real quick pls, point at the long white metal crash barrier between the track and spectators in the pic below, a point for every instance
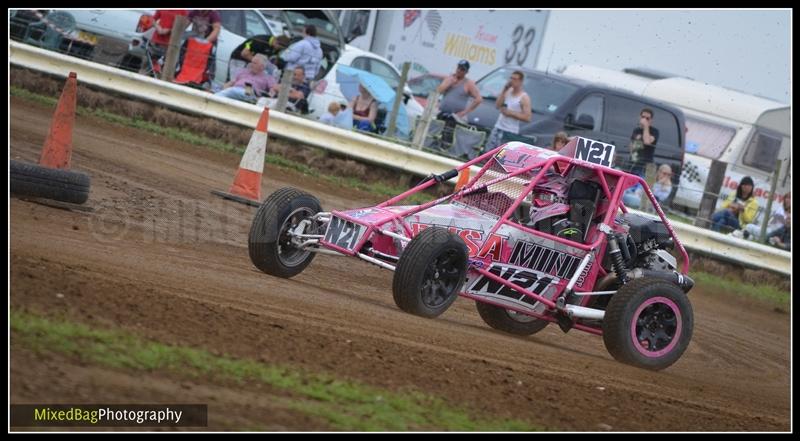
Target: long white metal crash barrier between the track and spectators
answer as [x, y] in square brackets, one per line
[349, 143]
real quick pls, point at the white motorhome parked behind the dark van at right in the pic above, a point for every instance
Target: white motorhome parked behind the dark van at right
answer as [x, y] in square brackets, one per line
[747, 132]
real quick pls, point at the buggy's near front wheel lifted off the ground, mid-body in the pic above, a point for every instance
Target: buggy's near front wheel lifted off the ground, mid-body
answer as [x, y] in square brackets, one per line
[430, 272]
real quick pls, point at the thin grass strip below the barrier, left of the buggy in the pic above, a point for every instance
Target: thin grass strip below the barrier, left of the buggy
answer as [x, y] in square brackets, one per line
[376, 188]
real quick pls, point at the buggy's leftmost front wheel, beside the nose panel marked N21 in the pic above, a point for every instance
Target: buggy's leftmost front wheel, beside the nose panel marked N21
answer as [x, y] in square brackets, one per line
[269, 243]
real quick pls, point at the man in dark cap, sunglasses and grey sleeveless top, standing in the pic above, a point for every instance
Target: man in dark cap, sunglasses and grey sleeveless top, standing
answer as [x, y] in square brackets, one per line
[454, 107]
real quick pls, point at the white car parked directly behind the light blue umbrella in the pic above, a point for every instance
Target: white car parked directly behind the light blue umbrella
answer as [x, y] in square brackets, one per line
[327, 89]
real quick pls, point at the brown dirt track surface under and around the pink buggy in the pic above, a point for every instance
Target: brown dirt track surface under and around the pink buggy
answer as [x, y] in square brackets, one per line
[161, 257]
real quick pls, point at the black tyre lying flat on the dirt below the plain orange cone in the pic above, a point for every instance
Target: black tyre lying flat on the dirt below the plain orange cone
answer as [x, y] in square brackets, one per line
[56, 184]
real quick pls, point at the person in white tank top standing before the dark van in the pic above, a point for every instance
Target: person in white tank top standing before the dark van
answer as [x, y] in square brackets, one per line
[514, 105]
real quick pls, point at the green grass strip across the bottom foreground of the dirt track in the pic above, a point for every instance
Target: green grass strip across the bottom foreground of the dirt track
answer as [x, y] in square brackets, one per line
[343, 404]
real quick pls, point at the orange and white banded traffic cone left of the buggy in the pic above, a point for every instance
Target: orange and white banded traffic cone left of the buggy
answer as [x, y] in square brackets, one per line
[246, 186]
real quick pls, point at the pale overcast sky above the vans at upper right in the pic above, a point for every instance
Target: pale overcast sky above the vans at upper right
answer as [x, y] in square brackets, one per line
[742, 49]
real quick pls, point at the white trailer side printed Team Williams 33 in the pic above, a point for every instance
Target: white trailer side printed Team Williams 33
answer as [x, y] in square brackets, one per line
[435, 40]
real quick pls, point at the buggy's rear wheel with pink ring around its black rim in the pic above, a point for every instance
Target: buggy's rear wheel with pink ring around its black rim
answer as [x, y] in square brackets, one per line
[648, 323]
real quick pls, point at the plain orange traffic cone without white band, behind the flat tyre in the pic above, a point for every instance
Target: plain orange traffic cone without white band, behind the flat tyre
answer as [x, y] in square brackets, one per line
[57, 149]
